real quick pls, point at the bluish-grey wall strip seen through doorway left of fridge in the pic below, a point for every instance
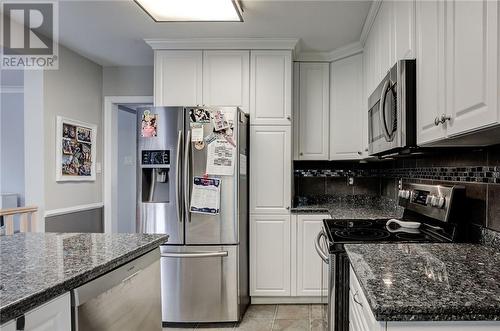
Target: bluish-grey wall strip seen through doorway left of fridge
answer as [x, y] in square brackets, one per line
[126, 169]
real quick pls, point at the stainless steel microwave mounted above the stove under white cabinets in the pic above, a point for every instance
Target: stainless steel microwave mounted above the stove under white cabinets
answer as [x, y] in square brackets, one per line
[392, 107]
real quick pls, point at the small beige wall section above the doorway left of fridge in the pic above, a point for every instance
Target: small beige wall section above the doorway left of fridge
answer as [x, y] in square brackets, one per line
[128, 81]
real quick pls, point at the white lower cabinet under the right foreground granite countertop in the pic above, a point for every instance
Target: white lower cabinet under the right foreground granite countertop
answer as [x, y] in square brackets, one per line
[361, 317]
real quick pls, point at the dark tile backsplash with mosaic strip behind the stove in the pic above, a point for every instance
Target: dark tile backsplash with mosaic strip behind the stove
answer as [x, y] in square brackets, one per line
[477, 169]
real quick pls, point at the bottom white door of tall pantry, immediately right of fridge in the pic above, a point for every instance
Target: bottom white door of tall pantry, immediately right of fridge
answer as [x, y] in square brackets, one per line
[270, 255]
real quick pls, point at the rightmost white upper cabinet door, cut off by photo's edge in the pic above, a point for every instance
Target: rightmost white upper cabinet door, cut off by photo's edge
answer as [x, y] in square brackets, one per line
[472, 55]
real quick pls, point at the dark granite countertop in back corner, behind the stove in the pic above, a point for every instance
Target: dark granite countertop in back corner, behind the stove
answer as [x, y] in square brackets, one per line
[349, 207]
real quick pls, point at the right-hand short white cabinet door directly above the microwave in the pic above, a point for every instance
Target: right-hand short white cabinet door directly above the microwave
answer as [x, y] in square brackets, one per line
[404, 30]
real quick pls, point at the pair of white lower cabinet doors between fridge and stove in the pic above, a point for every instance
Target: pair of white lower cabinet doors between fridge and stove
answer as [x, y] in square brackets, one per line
[283, 260]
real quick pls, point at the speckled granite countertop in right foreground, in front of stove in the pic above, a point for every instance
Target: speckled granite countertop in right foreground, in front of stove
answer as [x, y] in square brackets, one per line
[429, 282]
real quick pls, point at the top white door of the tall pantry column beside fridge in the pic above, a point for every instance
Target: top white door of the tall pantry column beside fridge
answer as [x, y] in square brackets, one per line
[270, 87]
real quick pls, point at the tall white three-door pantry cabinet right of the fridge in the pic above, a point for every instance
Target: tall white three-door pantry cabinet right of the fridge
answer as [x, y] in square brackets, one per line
[270, 172]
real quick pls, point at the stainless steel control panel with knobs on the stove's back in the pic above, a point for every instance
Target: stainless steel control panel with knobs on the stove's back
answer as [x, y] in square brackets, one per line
[431, 200]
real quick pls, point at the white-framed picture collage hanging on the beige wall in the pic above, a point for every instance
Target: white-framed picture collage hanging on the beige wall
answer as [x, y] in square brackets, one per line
[75, 150]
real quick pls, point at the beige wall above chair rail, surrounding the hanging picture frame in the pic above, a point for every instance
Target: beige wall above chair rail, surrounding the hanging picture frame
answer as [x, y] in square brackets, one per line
[73, 91]
